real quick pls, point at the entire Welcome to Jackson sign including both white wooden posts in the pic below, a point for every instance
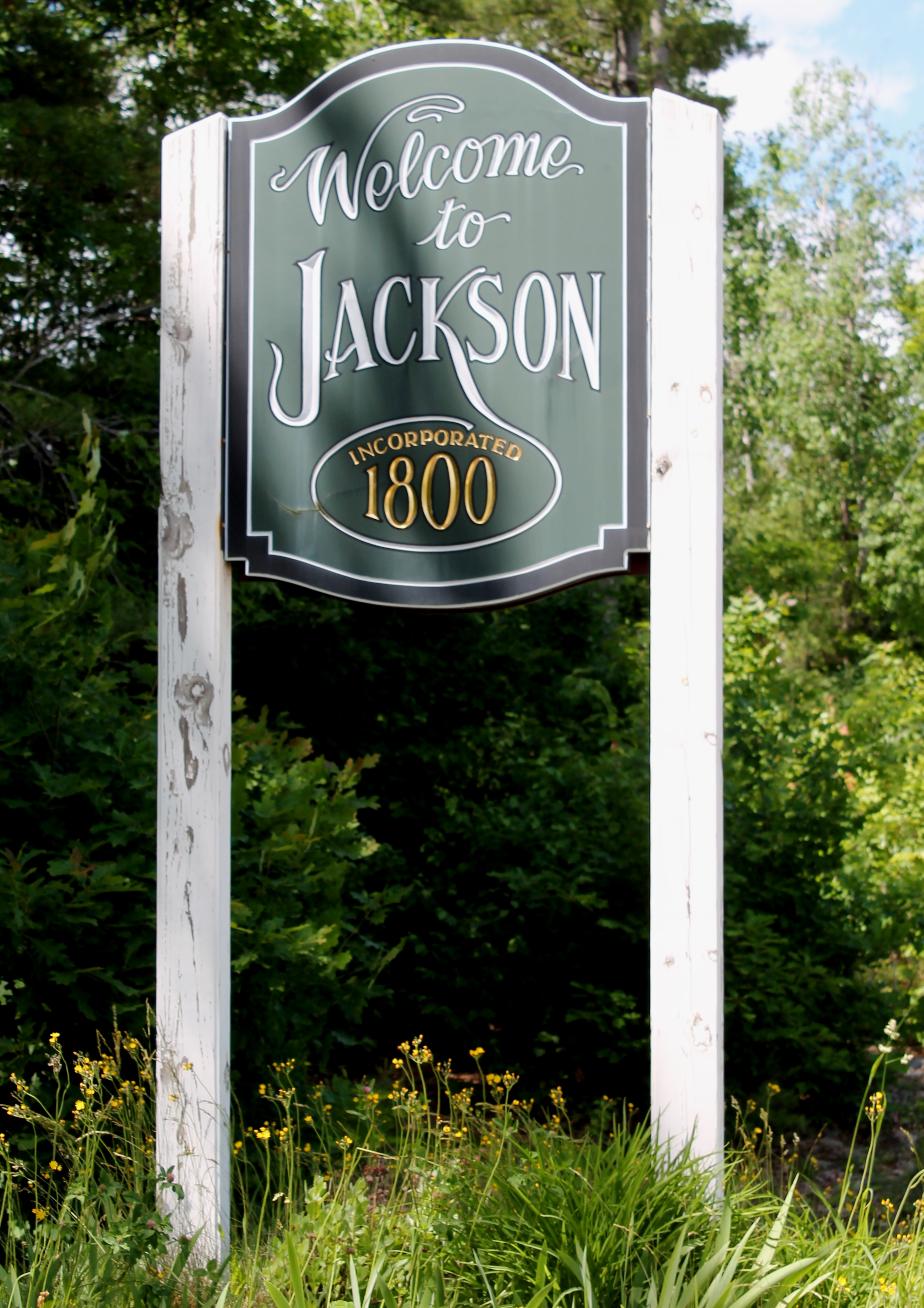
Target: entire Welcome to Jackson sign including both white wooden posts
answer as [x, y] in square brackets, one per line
[444, 351]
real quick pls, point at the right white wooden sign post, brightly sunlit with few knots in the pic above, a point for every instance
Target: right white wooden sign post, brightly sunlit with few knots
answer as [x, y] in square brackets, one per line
[686, 719]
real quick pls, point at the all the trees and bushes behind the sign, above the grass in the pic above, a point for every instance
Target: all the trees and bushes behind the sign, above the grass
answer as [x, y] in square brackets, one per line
[508, 901]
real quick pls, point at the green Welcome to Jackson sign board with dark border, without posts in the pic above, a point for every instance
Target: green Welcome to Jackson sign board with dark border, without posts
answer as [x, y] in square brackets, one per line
[438, 330]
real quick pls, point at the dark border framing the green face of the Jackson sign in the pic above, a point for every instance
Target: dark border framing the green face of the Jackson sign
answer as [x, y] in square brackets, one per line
[621, 547]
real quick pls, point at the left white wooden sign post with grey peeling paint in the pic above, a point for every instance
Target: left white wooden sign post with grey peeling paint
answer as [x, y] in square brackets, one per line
[194, 699]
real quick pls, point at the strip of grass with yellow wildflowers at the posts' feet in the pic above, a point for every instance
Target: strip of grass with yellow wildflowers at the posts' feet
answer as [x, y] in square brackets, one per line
[436, 1191]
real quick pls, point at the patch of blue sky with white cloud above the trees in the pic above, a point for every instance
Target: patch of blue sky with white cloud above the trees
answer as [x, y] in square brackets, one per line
[883, 39]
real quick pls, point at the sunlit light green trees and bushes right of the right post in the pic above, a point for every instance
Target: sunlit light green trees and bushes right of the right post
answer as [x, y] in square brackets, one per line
[824, 428]
